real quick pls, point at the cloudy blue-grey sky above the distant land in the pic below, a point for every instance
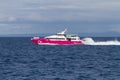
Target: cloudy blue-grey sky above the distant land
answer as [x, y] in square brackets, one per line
[51, 16]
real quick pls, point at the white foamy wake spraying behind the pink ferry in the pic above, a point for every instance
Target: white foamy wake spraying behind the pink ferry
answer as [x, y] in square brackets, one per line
[90, 41]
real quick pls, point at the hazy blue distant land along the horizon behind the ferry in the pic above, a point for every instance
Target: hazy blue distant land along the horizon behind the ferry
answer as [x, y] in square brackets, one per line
[105, 34]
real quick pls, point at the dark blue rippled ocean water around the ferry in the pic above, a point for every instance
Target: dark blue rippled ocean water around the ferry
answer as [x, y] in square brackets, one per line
[20, 59]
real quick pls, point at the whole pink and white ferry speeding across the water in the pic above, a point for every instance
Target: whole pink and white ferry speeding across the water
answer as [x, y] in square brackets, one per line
[59, 39]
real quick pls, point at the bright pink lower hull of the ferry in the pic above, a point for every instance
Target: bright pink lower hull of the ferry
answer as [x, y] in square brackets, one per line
[44, 41]
